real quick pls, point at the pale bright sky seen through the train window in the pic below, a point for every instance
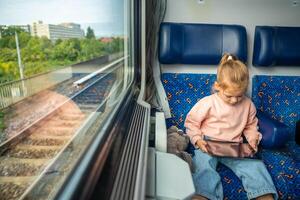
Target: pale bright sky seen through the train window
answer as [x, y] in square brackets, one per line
[105, 15]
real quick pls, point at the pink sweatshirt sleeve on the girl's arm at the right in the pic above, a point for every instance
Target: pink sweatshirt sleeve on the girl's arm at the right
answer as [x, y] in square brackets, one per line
[251, 133]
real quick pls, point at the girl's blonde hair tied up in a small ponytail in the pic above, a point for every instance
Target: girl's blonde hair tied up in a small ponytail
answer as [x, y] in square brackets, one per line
[232, 73]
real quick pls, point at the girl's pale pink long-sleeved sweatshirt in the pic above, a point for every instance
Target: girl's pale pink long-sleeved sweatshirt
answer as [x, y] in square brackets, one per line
[213, 117]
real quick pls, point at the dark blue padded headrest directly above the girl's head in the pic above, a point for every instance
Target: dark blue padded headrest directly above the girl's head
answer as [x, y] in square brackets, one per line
[200, 43]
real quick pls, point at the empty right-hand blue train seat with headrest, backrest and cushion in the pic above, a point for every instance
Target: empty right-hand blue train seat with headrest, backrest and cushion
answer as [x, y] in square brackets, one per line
[278, 97]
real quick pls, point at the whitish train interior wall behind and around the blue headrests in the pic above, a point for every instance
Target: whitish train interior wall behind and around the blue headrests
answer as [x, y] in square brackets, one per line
[242, 12]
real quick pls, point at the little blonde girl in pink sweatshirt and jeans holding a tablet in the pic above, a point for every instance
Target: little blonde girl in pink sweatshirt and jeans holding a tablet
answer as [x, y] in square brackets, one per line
[227, 115]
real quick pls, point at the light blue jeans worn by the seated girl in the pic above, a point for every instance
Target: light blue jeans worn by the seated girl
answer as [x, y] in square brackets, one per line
[253, 174]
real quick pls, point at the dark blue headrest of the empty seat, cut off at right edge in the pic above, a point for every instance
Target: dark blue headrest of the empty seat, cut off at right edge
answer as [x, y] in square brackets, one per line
[276, 46]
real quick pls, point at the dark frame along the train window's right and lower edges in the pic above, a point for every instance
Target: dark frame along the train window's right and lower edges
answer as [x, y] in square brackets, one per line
[82, 180]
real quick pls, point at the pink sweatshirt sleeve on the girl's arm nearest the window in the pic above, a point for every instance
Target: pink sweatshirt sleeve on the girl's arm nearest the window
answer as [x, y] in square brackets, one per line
[194, 119]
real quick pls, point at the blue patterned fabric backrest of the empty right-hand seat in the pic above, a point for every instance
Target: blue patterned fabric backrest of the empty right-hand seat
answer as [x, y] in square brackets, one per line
[279, 97]
